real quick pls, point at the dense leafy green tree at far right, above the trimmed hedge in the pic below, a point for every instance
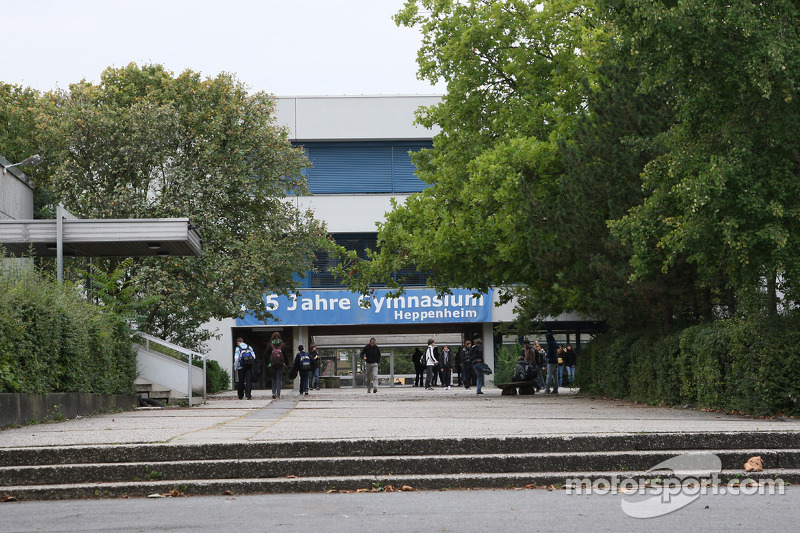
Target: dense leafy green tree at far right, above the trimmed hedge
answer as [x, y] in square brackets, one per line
[725, 193]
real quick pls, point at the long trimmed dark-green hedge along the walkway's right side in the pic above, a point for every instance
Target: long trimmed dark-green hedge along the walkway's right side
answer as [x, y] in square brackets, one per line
[745, 365]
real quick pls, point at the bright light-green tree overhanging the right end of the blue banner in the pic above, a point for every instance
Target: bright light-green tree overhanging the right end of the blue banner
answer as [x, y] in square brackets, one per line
[513, 72]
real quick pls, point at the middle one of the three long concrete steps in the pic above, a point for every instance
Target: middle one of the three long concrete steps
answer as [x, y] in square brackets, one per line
[532, 463]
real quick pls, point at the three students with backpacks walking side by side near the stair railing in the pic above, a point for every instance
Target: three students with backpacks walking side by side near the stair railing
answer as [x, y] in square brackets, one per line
[249, 368]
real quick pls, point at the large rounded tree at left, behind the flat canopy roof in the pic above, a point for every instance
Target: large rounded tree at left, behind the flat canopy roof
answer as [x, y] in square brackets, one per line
[145, 143]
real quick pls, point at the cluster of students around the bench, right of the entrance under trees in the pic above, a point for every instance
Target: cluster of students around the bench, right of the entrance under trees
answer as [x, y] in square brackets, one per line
[548, 369]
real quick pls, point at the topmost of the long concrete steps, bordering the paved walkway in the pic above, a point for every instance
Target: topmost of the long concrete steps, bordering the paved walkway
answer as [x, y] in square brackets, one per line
[126, 453]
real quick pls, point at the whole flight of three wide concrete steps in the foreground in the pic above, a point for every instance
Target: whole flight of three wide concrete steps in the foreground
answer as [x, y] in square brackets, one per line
[384, 465]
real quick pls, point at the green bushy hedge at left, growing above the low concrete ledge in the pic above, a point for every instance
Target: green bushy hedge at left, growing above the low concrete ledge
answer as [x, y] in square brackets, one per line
[52, 340]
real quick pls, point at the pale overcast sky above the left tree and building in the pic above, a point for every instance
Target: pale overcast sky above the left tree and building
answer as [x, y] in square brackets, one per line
[286, 47]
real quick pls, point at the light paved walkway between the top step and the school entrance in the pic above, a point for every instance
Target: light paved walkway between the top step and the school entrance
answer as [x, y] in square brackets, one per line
[401, 412]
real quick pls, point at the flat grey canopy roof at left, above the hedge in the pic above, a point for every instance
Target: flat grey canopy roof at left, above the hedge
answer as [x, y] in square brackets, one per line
[101, 237]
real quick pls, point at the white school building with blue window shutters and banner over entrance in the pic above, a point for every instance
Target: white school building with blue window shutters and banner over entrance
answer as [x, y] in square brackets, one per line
[359, 147]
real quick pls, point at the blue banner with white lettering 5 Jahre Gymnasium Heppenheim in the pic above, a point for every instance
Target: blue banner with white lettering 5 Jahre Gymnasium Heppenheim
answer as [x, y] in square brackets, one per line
[334, 307]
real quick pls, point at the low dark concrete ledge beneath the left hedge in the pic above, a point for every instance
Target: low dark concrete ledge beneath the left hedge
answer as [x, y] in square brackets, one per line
[19, 408]
